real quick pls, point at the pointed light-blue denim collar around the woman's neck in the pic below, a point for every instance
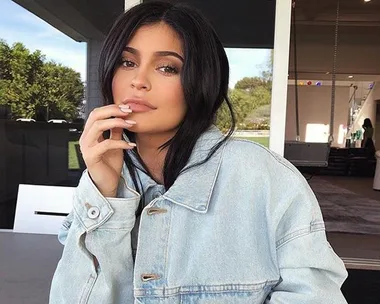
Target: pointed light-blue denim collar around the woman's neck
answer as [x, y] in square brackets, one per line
[193, 188]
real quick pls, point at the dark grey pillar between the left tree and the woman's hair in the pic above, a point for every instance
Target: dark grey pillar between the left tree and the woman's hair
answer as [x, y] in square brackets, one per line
[93, 95]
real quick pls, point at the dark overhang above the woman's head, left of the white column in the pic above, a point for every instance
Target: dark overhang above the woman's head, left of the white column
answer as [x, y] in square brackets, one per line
[91, 19]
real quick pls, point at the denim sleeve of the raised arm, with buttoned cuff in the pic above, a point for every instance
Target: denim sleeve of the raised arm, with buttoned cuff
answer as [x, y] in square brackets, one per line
[97, 261]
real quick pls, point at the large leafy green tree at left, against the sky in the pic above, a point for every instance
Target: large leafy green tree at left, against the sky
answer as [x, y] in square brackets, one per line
[29, 84]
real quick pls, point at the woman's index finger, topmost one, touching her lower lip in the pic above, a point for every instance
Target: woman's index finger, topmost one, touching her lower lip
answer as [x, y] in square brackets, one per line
[106, 112]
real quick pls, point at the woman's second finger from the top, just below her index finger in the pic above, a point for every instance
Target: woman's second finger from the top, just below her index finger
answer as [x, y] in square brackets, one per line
[99, 126]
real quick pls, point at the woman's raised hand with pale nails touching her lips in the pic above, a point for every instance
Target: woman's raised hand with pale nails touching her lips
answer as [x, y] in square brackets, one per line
[104, 157]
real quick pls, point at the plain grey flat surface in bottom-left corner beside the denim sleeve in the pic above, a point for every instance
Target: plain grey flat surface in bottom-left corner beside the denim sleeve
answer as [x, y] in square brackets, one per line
[27, 264]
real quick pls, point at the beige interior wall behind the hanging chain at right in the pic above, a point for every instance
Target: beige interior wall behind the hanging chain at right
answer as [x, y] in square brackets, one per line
[314, 108]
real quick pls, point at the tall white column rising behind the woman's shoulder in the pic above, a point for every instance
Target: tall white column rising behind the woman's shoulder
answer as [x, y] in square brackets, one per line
[280, 76]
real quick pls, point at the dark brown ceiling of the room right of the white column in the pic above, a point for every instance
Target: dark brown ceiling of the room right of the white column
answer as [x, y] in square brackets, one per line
[358, 46]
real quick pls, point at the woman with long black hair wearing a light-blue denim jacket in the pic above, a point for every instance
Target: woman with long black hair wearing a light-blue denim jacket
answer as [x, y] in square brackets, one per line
[188, 215]
